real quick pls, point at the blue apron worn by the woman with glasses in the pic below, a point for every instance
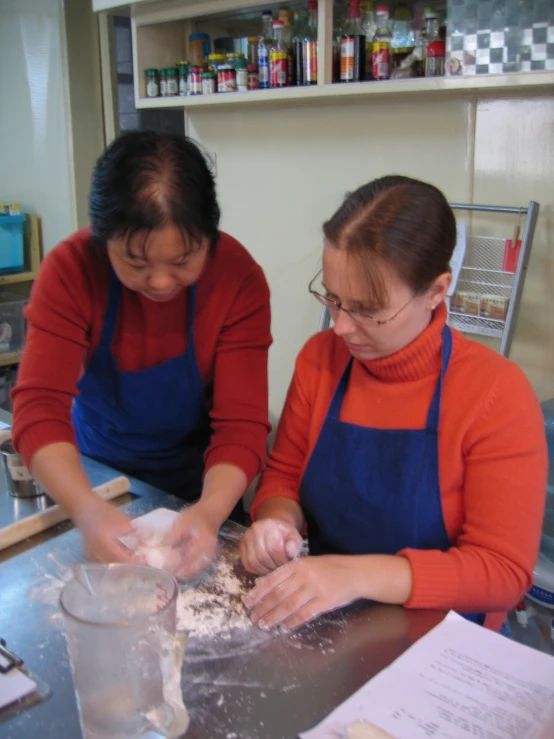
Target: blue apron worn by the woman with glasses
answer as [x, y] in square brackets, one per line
[376, 491]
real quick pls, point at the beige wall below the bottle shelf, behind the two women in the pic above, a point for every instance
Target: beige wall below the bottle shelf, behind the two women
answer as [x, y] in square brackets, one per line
[281, 173]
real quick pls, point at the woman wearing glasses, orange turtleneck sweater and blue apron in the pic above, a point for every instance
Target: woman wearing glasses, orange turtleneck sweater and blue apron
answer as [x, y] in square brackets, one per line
[414, 458]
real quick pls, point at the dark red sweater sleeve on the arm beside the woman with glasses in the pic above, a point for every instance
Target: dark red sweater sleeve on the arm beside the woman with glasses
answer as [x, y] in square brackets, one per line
[239, 413]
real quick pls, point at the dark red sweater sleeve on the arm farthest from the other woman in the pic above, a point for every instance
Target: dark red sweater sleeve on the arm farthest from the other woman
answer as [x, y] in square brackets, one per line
[58, 327]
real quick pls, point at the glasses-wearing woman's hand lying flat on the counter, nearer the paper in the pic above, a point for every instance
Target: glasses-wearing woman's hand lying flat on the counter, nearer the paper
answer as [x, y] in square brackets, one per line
[301, 590]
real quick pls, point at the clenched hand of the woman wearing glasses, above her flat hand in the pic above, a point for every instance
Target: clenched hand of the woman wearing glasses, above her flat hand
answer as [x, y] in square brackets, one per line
[268, 544]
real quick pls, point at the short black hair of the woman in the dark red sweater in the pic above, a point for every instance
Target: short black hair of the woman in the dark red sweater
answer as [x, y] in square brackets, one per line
[147, 180]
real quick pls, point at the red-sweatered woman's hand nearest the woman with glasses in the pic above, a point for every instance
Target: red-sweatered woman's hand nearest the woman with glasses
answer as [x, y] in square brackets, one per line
[194, 537]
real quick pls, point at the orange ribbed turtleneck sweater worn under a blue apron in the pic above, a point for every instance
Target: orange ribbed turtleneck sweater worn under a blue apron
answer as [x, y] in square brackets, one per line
[492, 457]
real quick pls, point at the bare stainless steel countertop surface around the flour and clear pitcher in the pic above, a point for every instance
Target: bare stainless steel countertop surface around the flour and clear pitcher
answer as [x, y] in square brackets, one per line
[271, 687]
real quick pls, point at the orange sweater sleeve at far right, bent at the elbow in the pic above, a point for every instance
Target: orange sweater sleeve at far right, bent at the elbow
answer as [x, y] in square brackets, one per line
[490, 565]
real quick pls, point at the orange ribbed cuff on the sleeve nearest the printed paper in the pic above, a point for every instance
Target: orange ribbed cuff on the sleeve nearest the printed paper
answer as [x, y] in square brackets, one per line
[434, 581]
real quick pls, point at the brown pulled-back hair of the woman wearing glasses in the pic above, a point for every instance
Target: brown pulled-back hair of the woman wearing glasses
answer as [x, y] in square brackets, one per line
[404, 222]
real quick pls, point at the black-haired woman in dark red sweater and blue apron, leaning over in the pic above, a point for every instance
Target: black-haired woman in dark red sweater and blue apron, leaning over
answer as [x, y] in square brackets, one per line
[142, 332]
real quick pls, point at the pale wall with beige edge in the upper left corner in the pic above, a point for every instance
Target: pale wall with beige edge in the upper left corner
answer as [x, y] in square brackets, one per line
[51, 127]
